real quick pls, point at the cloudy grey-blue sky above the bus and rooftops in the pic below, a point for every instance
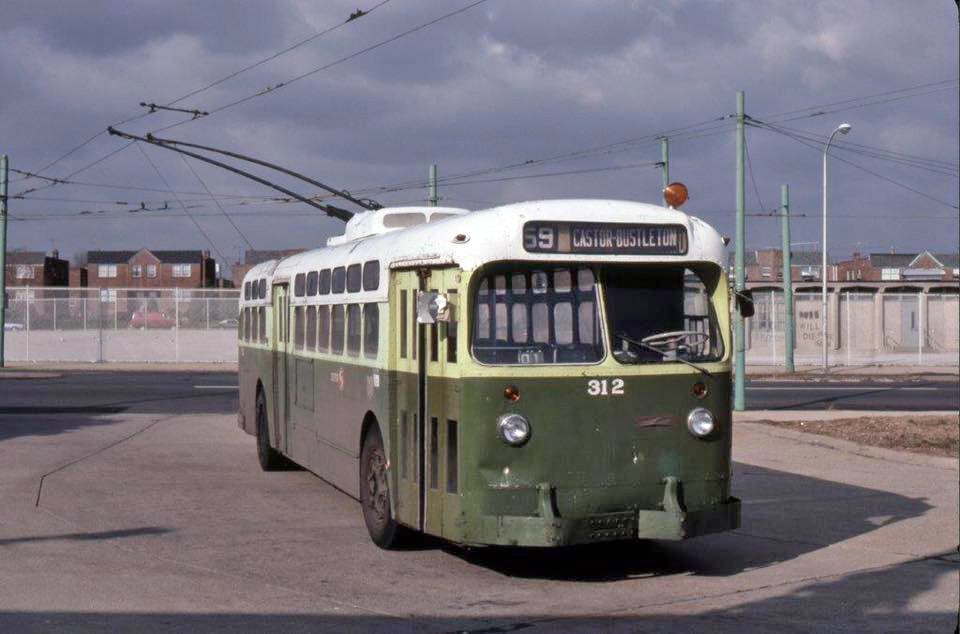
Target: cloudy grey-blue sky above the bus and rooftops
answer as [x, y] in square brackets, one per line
[516, 99]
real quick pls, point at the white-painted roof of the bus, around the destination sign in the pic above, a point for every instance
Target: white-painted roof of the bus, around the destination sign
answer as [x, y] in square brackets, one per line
[472, 239]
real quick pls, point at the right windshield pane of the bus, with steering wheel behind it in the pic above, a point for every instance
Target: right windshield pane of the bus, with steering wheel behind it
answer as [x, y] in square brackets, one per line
[660, 314]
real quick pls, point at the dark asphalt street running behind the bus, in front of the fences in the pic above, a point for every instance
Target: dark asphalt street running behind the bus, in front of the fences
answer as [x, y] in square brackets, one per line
[108, 392]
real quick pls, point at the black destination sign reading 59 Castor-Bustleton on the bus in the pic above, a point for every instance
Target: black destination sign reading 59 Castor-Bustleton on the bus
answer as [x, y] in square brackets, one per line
[604, 238]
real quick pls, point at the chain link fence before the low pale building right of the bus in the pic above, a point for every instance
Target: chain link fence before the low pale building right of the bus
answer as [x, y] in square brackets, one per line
[915, 328]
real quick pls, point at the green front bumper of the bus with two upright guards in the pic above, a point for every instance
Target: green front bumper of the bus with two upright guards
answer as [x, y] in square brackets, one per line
[671, 522]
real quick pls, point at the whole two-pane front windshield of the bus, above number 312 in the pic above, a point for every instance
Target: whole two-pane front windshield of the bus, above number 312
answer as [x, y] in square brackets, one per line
[547, 315]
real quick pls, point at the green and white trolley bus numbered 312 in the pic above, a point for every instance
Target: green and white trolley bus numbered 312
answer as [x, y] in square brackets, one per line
[537, 374]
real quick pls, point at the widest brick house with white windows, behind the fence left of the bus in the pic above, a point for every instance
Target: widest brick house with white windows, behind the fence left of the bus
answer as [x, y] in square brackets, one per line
[151, 269]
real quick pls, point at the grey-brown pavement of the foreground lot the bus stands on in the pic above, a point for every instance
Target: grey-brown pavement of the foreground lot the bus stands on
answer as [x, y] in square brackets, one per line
[165, 523]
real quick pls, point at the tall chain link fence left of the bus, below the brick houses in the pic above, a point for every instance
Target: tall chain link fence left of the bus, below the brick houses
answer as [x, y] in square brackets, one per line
[135, 325]
